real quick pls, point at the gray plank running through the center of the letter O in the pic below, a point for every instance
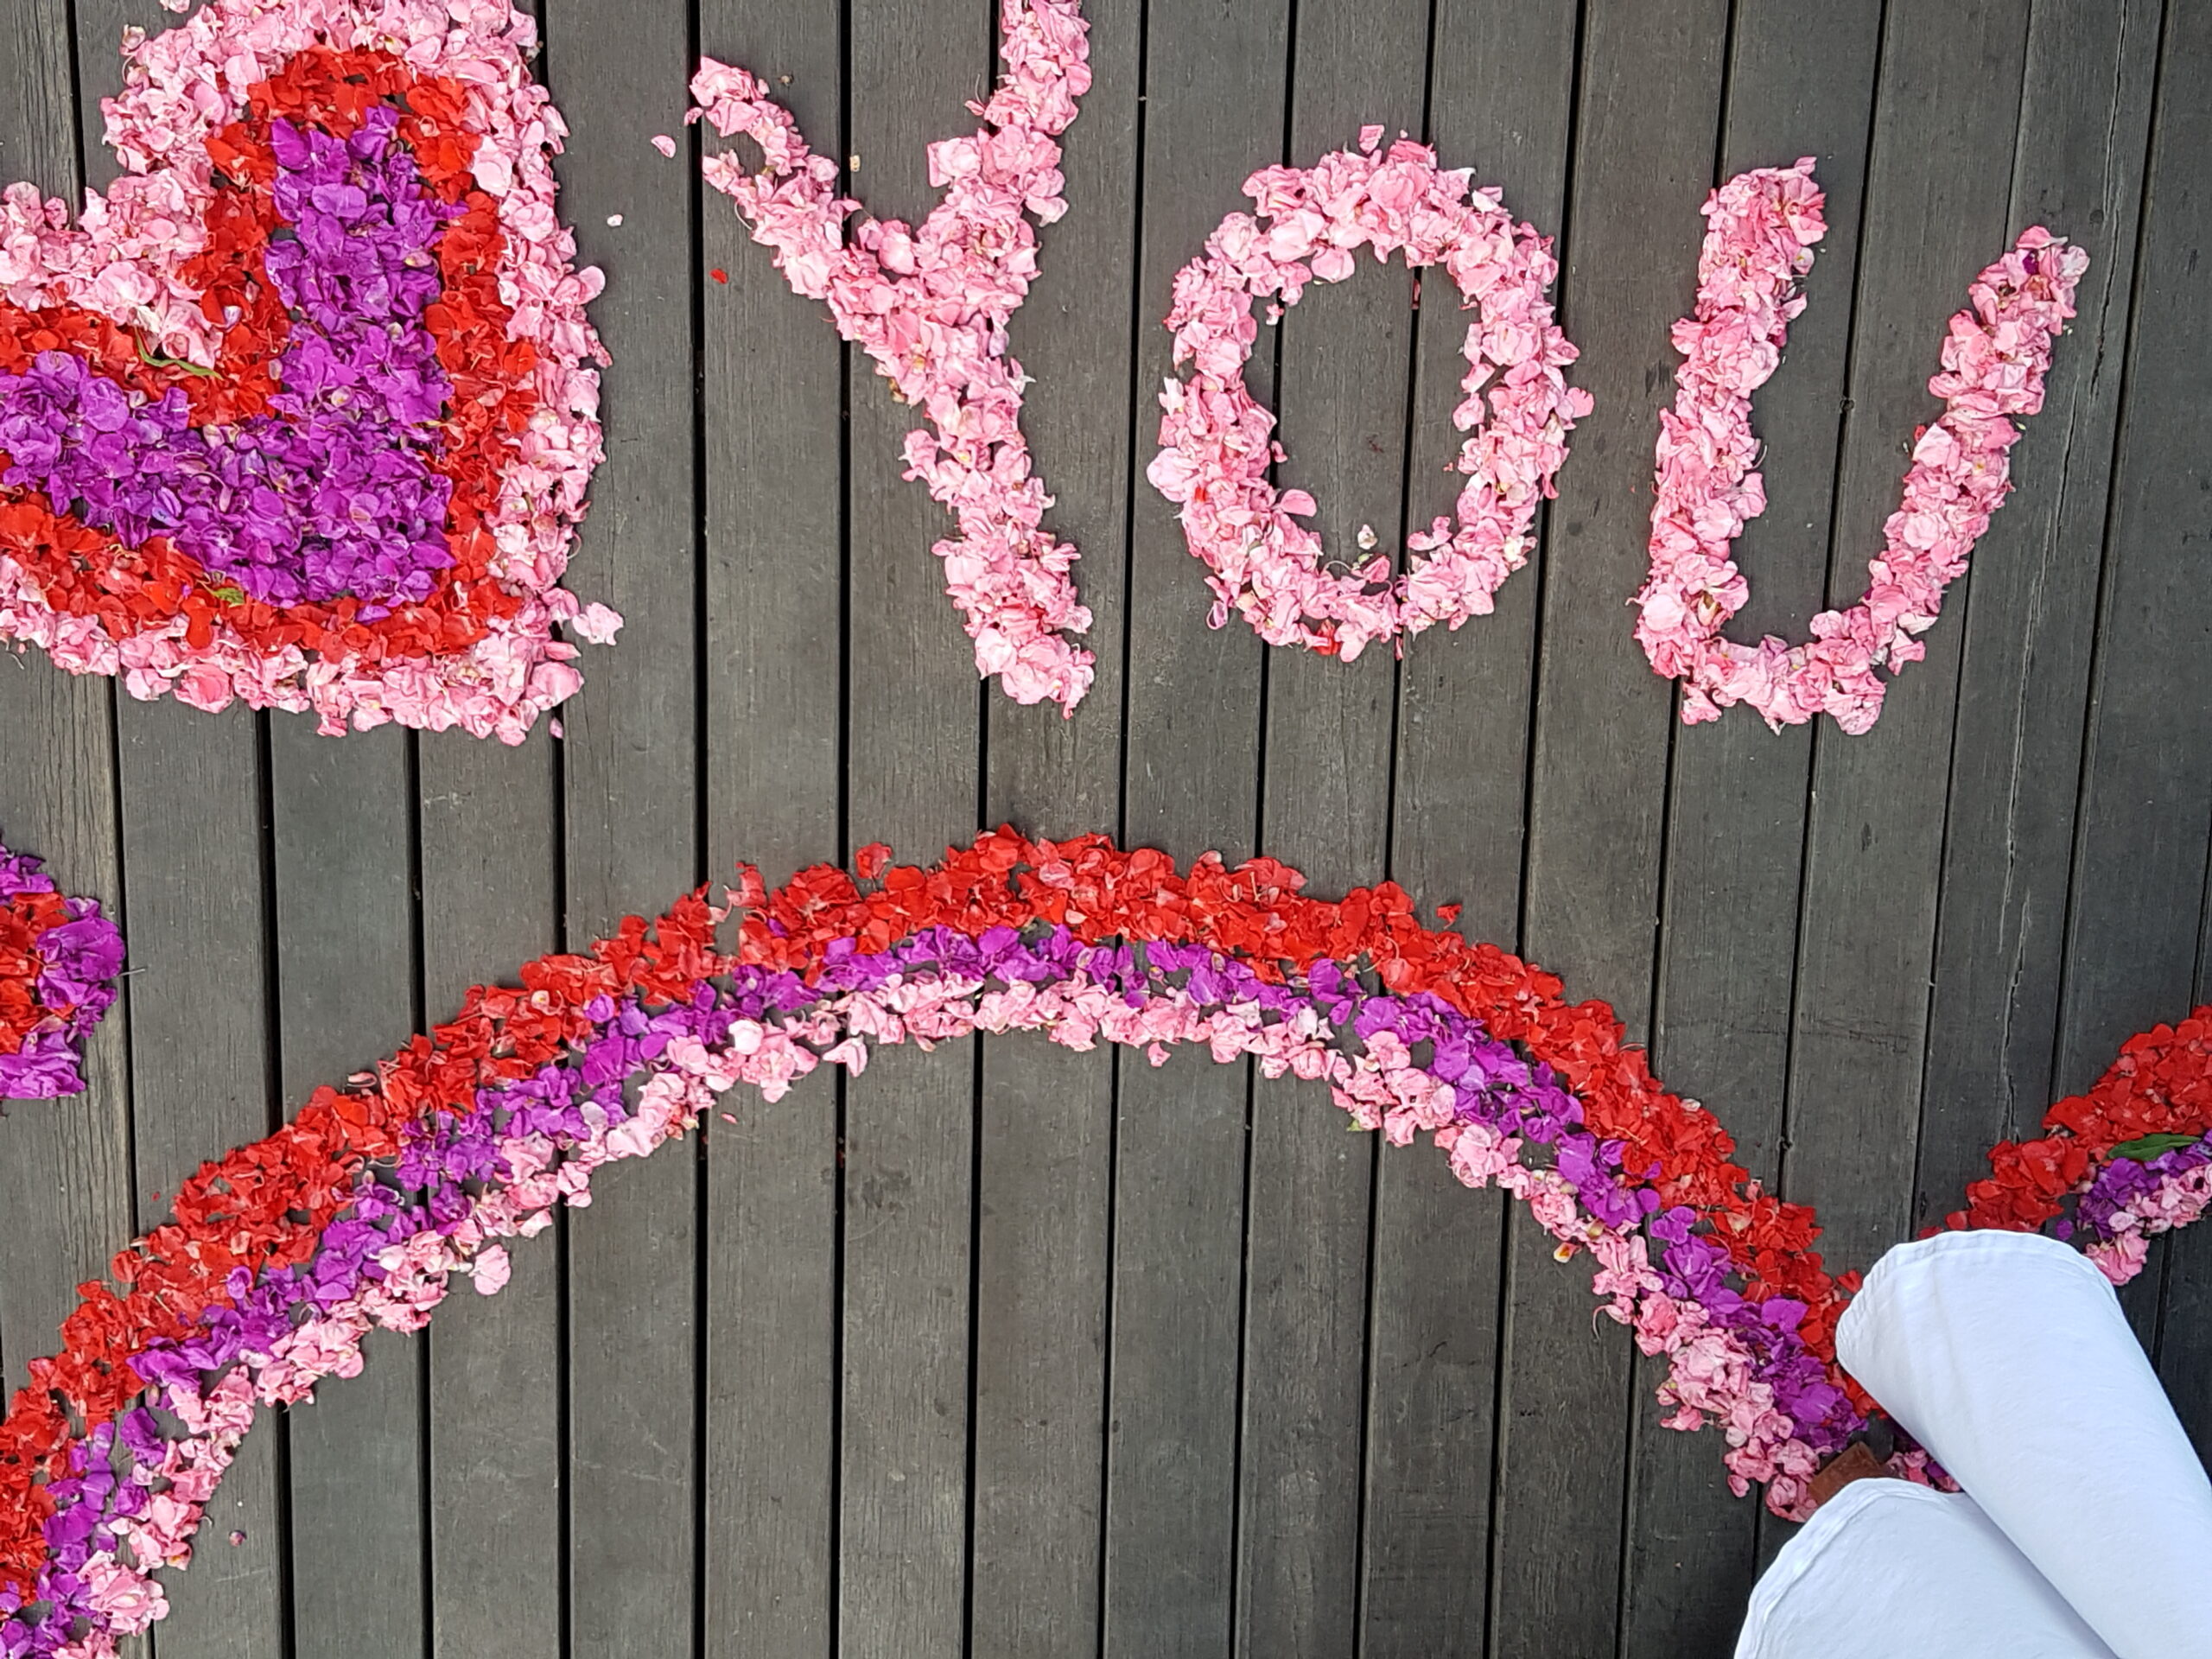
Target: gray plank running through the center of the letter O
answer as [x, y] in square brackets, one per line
[1344, 362]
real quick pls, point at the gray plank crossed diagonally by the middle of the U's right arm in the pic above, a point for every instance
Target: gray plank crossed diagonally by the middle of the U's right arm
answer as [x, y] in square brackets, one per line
[1875, 844]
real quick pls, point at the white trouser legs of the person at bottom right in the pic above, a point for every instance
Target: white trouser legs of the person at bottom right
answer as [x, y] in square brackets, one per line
[2085, 1530]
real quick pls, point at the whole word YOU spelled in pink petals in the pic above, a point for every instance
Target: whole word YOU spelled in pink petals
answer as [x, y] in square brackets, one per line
[932, 309]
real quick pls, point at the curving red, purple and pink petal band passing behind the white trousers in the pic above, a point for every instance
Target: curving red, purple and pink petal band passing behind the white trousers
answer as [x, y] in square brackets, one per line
[364, 1209]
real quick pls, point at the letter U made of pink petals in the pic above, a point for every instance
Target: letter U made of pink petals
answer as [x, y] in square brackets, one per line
[1760, 238]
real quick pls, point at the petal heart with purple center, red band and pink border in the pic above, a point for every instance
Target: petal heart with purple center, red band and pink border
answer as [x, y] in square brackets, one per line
[304, 408]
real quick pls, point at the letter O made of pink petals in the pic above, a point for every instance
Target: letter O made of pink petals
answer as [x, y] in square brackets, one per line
[1218, 441]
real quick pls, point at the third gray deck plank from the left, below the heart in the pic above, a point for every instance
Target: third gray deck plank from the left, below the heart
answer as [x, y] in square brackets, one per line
[346, 997]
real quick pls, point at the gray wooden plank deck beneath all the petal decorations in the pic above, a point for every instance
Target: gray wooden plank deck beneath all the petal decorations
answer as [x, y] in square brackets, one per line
[1025, 1353]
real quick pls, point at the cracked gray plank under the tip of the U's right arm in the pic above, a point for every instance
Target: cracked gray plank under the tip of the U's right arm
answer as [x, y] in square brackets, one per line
[2032, 616]
